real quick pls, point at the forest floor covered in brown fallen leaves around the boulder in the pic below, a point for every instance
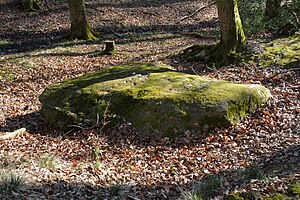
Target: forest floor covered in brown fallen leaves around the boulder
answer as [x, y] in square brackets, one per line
[260, 155]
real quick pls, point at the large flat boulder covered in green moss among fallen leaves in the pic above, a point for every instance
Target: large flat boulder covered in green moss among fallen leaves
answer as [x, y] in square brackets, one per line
[152, 97]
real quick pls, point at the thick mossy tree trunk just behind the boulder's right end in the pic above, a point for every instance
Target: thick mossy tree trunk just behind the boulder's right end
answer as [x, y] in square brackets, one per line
[232, 34]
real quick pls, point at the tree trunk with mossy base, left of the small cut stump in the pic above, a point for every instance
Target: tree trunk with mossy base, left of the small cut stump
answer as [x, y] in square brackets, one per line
[80, 28]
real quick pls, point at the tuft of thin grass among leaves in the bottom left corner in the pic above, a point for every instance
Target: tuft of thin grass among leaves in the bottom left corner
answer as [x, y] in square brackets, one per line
[10, 182]
